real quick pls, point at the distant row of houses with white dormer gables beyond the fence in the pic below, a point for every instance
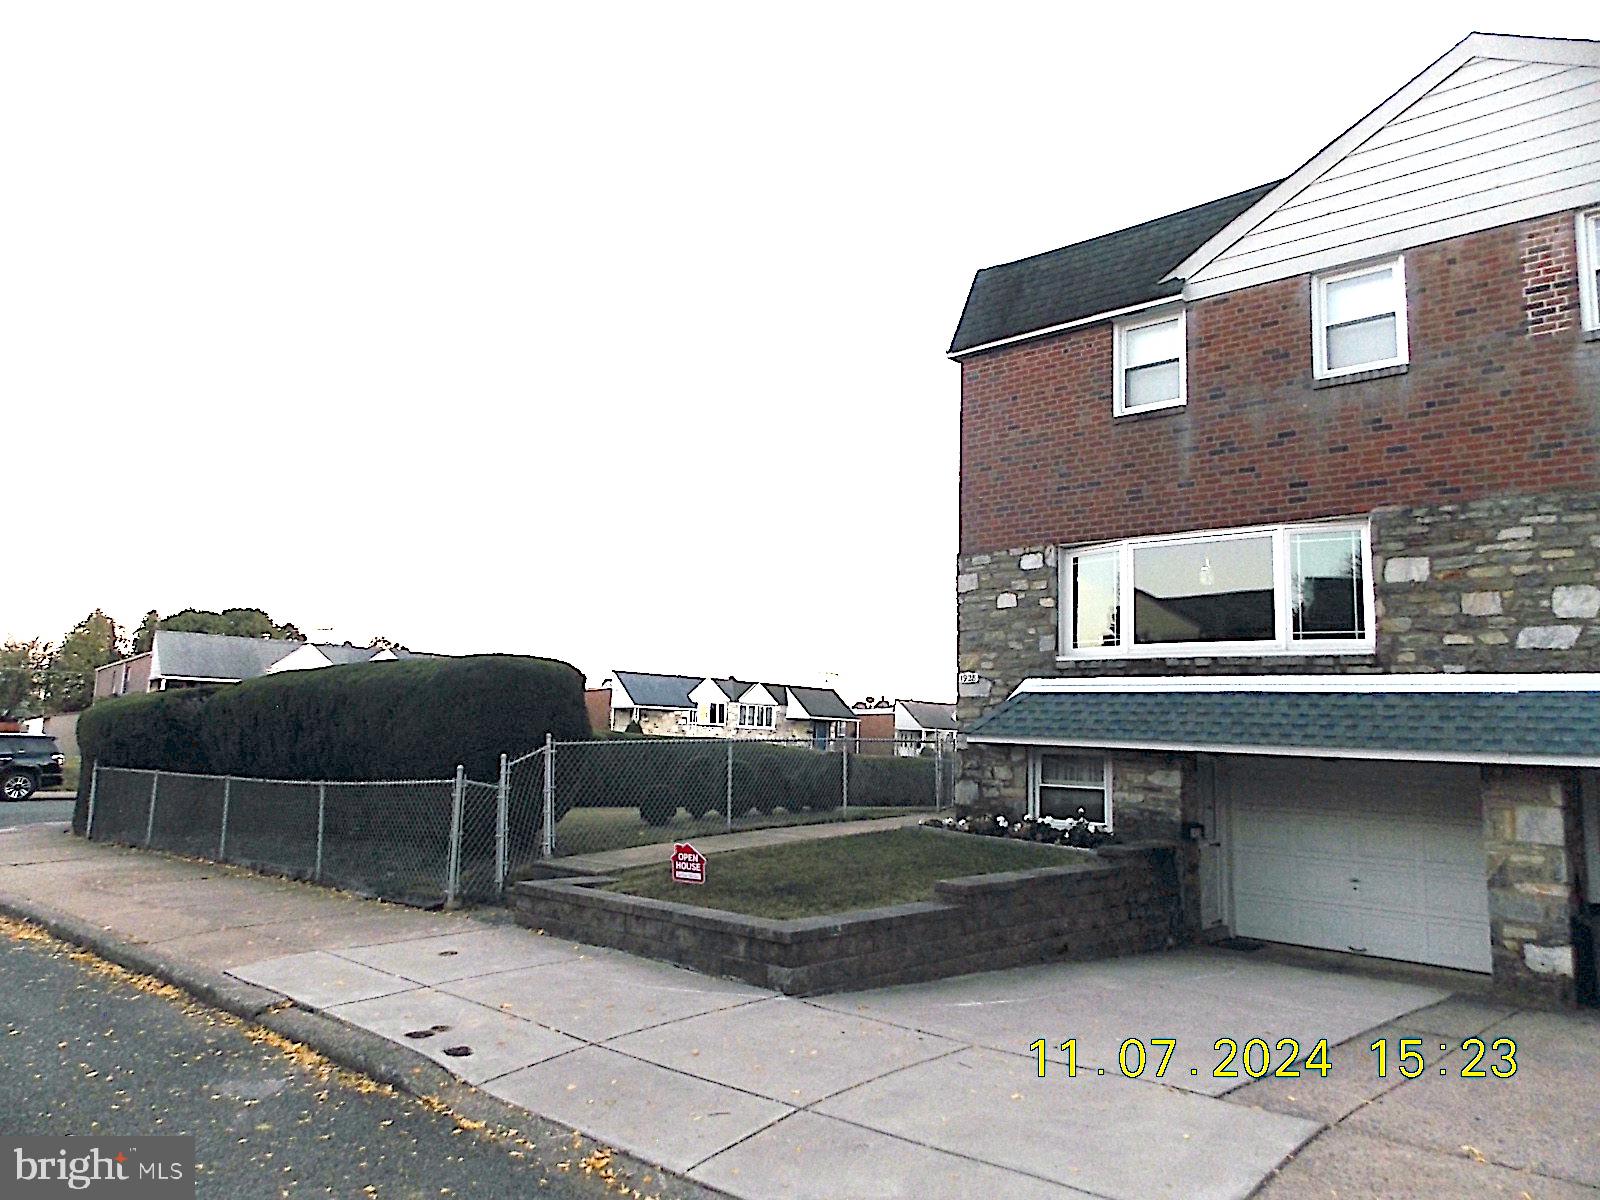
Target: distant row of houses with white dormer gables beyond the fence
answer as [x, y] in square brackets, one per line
[687, 706]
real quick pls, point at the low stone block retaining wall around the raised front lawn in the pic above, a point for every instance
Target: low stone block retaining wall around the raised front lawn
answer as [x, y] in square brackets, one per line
[1113, 902]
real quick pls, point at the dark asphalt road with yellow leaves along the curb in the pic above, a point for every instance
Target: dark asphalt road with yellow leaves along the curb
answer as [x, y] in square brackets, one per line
[84, 1050]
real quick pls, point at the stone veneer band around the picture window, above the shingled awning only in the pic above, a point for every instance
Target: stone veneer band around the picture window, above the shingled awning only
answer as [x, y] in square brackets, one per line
[1497, 585]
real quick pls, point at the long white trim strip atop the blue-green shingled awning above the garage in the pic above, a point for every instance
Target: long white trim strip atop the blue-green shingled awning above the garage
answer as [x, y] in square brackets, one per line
[1420, 682]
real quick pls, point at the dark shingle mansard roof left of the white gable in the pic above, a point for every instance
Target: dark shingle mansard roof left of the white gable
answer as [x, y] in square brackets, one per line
[1108, 273]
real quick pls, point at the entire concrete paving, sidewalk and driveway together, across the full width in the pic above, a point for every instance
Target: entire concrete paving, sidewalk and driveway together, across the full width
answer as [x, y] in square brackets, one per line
[914, 1092]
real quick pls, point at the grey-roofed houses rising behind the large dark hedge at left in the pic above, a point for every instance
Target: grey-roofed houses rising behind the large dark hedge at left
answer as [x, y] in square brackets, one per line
[178, 660]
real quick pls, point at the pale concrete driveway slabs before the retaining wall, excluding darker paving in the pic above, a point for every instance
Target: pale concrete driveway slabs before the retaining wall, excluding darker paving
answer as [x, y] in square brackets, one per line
[913, 1092]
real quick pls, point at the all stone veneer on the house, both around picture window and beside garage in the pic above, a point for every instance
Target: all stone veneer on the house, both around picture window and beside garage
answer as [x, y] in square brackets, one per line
[1506, 585]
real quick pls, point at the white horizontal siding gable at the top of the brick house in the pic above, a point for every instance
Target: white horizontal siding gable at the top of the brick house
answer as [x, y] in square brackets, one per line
[1495, 142]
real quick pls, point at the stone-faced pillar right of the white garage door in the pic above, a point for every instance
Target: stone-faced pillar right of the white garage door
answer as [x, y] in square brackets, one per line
[1535, 850]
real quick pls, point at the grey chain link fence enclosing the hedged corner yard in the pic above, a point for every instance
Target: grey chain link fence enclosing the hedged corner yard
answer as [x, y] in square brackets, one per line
[444, 841]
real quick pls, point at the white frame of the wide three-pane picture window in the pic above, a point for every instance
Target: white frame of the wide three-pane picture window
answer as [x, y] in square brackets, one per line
[1282, 642]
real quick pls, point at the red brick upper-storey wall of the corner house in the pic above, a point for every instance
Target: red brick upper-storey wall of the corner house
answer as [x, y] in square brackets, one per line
[1500, 396]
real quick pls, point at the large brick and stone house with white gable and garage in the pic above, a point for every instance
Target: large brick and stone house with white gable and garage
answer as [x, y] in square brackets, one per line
[1281, 530]
